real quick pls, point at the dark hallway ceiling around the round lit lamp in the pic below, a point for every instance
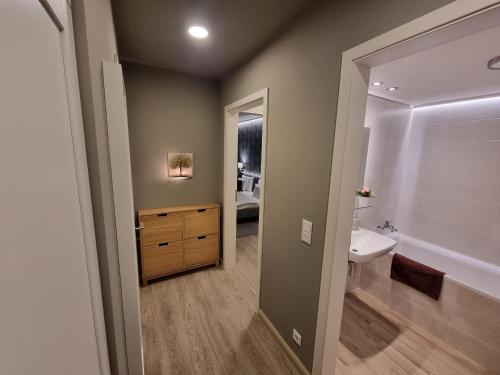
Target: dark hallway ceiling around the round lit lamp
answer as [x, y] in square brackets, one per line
[154, 32]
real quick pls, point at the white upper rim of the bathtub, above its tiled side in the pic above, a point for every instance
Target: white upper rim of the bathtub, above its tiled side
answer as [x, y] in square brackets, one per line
[475, 274]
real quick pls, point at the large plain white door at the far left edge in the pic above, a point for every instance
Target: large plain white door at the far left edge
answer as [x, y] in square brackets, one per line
[47, 319]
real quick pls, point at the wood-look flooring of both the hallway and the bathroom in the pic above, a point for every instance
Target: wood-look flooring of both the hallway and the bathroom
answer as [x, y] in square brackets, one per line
[205, 322]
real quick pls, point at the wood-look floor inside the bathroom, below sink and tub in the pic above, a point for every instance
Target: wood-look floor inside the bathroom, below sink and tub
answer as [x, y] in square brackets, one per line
[377, 341]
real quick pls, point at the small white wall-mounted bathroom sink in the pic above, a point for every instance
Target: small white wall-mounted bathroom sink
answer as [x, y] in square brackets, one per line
[367, 245]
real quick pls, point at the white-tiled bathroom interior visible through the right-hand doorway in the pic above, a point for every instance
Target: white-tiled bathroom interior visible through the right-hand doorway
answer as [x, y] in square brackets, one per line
[431, 183]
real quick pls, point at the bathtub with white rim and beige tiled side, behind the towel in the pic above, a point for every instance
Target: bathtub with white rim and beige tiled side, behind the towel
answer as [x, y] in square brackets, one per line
[467, 314]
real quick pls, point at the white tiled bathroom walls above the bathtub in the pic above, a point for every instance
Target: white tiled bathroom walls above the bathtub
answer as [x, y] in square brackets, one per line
[435, 171]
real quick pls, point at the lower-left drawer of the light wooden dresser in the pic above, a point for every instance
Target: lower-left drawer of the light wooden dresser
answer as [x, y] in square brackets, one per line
[162, 258]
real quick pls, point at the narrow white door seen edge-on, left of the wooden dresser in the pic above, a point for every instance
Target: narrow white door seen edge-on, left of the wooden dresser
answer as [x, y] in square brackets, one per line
[121, 177]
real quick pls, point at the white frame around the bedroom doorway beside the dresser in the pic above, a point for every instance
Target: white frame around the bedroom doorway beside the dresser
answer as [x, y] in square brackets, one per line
[230, 177]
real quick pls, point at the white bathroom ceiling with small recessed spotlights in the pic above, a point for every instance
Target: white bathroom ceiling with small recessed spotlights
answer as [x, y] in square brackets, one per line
[451, 71]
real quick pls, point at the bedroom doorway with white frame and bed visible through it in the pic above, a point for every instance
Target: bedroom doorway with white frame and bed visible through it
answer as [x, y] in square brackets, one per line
[245, 134]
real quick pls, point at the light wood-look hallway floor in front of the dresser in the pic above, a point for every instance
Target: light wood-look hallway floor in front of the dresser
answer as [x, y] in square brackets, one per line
[205, 322]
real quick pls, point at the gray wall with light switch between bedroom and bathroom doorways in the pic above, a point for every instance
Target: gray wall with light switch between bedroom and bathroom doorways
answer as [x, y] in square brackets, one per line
[302, 71]
